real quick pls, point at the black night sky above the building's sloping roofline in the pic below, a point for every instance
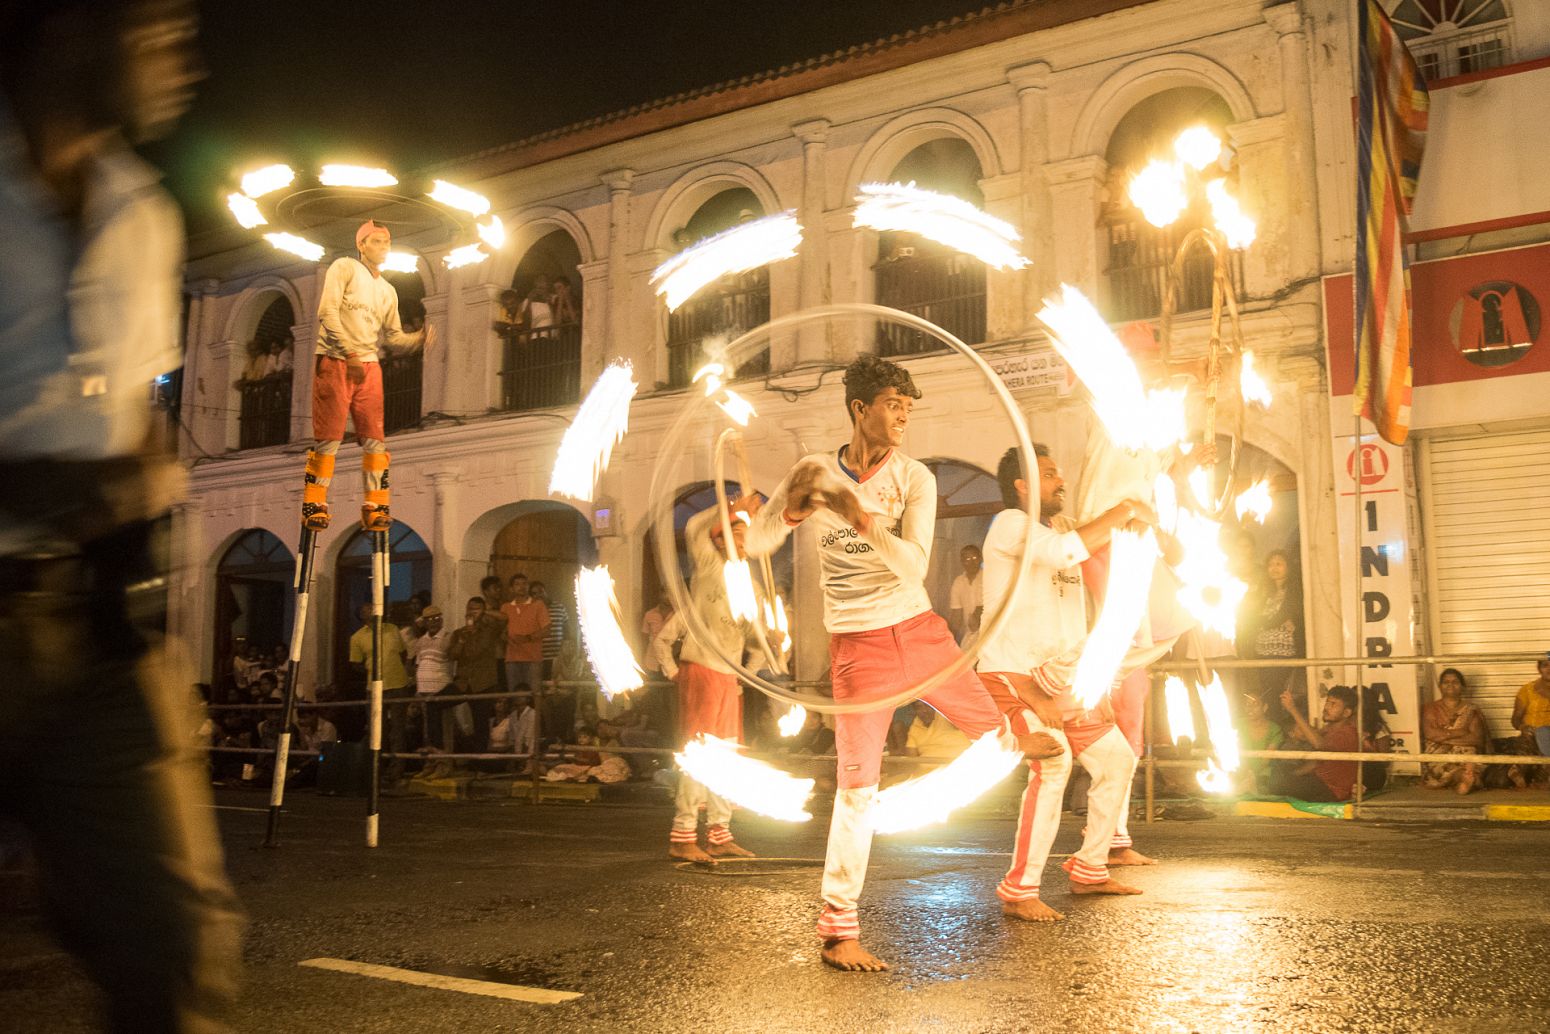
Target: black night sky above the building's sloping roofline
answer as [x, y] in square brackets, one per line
[407, 83]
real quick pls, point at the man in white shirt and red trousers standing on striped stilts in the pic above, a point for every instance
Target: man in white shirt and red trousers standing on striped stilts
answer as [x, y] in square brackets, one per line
[359, 312]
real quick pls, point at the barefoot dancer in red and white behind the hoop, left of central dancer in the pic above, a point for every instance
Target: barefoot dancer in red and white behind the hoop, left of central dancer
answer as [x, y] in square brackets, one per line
[711, 698]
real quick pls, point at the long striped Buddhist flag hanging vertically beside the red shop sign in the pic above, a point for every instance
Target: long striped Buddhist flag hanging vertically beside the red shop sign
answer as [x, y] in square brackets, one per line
[1391, 134]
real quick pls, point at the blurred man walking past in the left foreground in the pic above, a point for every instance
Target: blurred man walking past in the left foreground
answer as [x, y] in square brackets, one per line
[95, 723]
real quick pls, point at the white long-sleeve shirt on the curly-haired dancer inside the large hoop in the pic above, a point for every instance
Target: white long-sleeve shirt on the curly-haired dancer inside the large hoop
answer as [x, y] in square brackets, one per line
[870, 579]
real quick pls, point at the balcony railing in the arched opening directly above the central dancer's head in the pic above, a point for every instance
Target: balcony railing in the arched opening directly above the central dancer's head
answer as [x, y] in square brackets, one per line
[946, 289]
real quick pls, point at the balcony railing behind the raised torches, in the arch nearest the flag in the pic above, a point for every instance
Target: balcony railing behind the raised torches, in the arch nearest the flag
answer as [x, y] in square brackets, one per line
[1140, 257]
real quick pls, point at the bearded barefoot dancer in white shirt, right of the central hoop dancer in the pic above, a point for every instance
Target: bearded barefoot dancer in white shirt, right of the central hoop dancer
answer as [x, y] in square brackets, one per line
[1028, 666]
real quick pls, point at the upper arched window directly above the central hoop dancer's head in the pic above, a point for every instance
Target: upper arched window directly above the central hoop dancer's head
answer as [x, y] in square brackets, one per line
[925, 278]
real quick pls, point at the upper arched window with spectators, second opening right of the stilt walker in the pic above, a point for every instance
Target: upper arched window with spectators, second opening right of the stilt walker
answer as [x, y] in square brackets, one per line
[542, 328]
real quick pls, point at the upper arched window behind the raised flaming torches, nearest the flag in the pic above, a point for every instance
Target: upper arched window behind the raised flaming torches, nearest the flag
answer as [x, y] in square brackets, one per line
[1140, 253]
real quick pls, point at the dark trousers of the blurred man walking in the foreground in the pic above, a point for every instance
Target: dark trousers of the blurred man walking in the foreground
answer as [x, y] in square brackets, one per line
[98, 762]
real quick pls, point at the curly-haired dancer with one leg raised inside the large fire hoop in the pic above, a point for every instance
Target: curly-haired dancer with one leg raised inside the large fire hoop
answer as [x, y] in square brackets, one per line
[873, 514]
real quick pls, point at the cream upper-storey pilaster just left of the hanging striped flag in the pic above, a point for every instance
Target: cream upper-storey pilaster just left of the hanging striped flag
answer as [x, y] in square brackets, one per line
[1303, 244]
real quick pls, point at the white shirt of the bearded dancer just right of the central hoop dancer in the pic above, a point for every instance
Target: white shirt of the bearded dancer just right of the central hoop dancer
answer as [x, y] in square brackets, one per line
[1049, 616]
